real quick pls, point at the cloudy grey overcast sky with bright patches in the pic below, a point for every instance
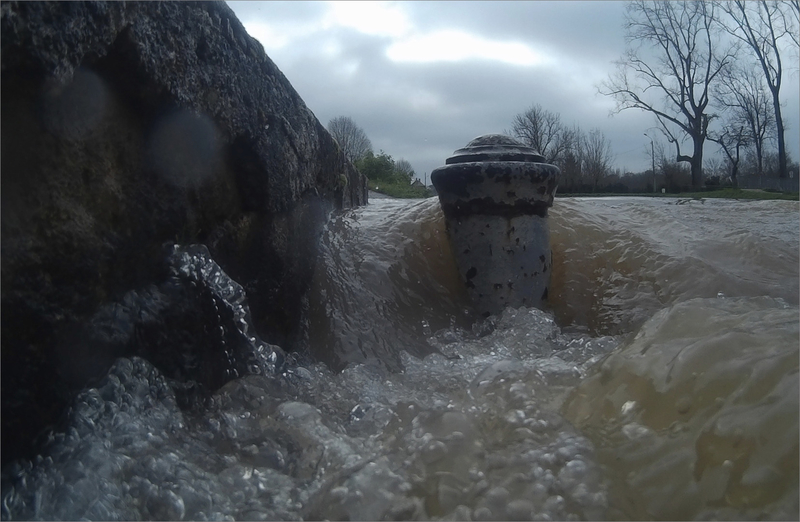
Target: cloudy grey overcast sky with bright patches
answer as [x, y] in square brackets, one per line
[424, 78]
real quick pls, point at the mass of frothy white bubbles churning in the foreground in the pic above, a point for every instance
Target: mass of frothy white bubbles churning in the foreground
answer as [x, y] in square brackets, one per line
[478, 437]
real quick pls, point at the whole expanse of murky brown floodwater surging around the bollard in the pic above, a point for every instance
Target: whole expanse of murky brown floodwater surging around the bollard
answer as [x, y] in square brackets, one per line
[662, 383]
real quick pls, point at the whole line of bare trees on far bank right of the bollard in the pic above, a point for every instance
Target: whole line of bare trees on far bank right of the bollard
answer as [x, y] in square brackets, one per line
[707, 72]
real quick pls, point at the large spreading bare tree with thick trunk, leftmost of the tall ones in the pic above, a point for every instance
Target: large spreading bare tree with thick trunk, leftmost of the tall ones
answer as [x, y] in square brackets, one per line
[675, 85]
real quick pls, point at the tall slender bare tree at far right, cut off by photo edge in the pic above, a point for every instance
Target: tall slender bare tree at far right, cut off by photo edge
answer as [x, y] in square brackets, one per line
[761, 26]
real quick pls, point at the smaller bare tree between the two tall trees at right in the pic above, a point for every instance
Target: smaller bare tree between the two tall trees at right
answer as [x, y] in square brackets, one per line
[742, 96]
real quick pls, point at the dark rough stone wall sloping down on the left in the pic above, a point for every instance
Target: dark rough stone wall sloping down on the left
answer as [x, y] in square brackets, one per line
[126, 125]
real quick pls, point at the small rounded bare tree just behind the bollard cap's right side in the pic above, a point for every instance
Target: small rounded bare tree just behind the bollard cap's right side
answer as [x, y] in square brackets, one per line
[542, 130]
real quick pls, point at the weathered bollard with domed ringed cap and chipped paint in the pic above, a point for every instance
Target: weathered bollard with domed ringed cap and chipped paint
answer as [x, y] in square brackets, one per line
[494, 194]
